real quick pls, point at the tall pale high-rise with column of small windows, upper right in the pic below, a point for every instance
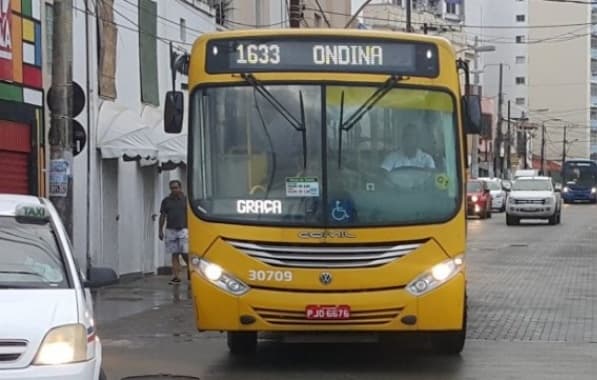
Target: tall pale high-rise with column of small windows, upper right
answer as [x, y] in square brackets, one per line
[545, 52]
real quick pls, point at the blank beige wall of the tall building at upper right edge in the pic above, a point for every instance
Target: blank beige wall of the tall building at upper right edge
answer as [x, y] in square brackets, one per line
[560, 74]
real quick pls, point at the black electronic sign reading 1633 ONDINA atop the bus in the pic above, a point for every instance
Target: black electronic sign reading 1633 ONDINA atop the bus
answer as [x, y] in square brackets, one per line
[374, 56]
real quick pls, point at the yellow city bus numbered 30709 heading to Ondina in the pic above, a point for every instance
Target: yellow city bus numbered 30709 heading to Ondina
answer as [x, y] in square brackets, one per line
[326, 185]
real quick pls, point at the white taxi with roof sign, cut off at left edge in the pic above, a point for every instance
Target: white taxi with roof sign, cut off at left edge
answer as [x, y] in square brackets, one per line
[46, 314]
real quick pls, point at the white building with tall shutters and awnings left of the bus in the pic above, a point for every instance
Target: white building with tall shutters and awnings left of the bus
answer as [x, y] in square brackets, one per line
[119, 179]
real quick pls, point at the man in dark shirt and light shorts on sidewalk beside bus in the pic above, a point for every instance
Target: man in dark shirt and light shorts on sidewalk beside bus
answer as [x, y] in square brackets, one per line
[173, 214]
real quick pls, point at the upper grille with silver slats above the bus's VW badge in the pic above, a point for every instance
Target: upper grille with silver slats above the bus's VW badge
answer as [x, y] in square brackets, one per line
[324, 256]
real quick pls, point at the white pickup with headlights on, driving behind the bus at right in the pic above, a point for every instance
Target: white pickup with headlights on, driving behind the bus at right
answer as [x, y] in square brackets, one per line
[533, 198]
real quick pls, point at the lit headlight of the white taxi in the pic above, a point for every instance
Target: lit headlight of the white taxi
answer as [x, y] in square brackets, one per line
[63, 345]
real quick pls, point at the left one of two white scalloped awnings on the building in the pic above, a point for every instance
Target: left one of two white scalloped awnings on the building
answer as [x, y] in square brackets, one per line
[121, 132]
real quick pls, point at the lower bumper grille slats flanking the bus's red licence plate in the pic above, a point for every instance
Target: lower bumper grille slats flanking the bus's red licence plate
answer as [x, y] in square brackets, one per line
[357, 317]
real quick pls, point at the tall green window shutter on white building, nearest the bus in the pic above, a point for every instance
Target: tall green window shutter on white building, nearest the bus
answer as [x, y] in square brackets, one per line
[148, 52]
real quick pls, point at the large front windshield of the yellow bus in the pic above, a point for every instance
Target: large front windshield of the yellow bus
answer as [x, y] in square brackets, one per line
[299, 162]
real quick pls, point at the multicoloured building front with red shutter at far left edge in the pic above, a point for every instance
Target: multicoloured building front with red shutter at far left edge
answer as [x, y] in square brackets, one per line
[22, 129]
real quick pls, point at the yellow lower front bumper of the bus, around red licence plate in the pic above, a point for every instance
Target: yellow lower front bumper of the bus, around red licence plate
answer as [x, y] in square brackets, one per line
[265, 310]
